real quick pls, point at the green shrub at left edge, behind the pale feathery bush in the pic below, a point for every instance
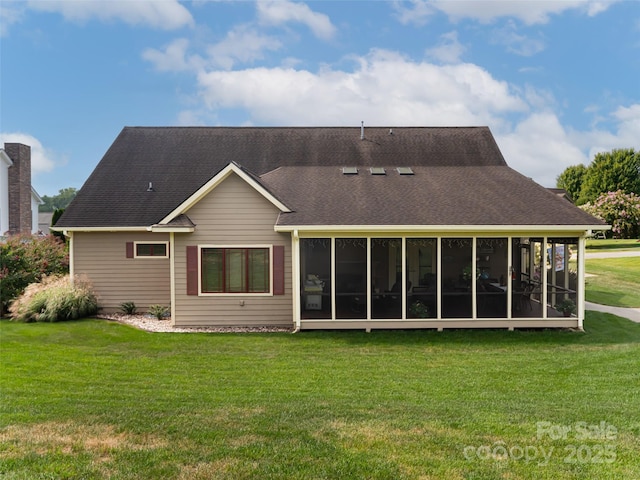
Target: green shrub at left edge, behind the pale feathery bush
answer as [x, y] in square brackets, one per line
[25, 259]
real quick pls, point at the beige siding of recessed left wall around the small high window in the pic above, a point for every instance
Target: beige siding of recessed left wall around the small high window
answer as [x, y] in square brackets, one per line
[117, 279]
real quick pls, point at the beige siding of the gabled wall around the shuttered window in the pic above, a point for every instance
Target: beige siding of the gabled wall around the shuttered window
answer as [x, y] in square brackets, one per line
[232, 214]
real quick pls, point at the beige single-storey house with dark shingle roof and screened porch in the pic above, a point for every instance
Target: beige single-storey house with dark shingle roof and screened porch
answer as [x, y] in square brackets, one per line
[327, 228]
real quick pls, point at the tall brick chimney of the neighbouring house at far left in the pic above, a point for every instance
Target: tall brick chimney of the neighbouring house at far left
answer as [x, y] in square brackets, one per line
[19, 188]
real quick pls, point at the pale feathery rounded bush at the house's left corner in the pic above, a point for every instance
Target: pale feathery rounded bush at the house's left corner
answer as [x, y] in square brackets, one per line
[55, 299]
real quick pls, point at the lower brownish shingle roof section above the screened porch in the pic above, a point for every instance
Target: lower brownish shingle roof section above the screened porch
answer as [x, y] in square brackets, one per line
[439, 195]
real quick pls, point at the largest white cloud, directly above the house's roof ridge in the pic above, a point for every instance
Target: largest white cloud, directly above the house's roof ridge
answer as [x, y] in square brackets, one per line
[384, 89]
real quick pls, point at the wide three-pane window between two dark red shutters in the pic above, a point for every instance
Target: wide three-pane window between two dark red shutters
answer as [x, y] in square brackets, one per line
[235, 270]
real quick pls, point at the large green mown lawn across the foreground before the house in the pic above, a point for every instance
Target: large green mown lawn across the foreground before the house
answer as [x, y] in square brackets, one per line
[95, 399]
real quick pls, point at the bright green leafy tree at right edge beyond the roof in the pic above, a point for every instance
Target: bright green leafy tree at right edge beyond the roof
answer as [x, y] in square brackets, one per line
[610, 172]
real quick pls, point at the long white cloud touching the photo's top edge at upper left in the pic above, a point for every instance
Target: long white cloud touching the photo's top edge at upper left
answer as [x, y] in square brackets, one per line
[162, 14]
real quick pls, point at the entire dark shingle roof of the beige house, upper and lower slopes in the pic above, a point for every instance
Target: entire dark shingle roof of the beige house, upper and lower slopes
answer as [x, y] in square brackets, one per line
[459, 165]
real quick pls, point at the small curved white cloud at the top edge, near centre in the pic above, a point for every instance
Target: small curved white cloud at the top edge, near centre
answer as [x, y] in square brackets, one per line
[279, 12]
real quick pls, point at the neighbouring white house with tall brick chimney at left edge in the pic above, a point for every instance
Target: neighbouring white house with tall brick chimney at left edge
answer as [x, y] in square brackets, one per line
[18, 200]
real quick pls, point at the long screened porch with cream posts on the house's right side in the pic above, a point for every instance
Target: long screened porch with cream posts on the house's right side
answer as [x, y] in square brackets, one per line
[437, 281]
